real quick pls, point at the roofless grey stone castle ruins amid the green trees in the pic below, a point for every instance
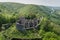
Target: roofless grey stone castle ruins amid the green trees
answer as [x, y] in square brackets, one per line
[23, 23]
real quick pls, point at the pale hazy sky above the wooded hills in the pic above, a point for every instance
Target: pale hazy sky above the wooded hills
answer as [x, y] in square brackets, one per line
[39, 2]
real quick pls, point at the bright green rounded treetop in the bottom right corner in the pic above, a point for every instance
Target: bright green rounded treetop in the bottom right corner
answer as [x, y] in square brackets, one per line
[50, 36]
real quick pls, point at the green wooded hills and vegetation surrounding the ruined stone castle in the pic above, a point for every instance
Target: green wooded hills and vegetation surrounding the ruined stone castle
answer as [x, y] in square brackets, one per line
[49, 27]
